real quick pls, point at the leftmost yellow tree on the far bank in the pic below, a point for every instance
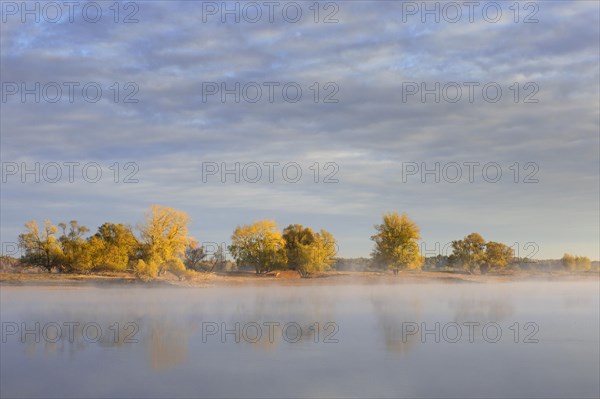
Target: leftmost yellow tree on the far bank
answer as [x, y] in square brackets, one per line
[41, 248]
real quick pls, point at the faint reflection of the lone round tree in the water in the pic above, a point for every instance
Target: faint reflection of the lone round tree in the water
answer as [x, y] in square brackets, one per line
[390, 312]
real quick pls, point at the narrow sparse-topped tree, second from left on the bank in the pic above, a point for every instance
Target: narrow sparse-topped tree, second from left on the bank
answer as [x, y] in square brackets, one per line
[76, 254]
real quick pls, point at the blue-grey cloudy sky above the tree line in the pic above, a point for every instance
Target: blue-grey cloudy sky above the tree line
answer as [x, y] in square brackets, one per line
[482, 119]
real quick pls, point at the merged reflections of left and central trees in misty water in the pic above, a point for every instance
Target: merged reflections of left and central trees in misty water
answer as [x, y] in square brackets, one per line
[169, 319]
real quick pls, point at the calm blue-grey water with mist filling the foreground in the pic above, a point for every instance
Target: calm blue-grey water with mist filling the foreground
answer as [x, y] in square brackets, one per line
[316, 341]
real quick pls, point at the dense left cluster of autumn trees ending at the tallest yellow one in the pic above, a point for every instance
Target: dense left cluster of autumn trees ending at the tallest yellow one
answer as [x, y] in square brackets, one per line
[160, 247]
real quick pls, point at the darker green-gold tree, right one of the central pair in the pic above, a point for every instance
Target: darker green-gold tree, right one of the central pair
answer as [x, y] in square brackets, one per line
[308, 252]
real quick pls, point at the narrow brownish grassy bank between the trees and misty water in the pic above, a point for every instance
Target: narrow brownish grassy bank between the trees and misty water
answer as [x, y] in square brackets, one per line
[241, 279]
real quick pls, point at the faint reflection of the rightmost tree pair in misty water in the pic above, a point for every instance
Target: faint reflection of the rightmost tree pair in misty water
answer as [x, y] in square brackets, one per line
[481, 310]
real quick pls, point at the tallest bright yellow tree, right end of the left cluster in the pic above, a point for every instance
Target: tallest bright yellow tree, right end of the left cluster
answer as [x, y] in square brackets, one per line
[164, 236]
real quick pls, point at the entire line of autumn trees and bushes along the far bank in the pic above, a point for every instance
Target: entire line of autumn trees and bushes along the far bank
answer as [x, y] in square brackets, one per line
[162, 244]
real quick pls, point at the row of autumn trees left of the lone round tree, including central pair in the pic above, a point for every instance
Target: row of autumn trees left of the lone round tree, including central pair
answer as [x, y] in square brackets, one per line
[163, 245]
